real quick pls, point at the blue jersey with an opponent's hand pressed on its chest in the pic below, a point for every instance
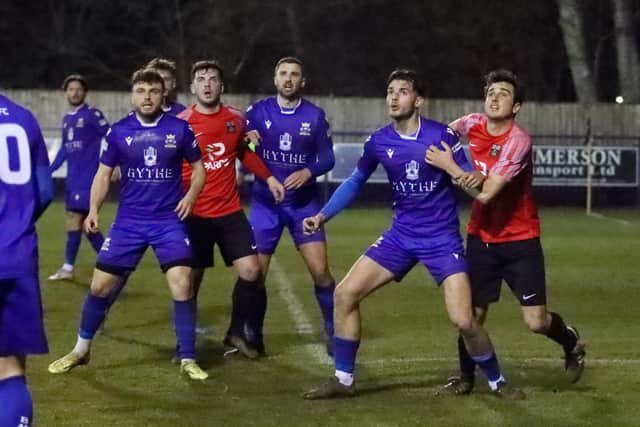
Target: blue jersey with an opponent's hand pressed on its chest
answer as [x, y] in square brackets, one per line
[424, 201]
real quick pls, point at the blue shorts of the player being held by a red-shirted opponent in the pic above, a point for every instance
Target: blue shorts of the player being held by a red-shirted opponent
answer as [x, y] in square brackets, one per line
[398, 253]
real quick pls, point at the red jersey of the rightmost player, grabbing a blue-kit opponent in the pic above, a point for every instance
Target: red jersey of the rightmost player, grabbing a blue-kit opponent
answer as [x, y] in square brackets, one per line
[513, 214]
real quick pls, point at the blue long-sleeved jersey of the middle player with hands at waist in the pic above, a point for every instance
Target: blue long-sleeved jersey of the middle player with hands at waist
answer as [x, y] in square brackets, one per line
[292, 139]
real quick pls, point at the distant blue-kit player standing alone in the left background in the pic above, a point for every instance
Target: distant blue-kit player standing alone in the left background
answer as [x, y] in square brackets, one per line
[83, 128]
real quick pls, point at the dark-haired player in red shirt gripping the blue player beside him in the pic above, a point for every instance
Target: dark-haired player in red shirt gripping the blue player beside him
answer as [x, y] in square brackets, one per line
[503, 241]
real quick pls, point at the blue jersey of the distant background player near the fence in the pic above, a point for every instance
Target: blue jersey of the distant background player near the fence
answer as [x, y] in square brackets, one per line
[82, 133]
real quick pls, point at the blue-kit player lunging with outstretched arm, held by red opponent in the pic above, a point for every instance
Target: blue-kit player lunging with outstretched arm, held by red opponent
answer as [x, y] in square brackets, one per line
[425, 229]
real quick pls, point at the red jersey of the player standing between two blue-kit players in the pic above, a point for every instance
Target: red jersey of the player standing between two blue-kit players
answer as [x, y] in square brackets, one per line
[220, 138]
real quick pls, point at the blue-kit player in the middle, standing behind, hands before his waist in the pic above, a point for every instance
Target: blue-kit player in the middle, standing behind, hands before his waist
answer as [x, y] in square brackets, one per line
[294, 141]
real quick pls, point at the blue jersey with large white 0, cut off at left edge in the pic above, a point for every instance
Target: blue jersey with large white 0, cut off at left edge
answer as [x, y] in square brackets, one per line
[22, 152]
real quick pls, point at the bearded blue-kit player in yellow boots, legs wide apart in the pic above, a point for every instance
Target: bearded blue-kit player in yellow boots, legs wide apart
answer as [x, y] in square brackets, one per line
[149, 147]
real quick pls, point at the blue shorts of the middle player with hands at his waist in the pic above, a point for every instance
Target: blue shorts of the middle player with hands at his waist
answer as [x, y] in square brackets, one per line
[269, 221]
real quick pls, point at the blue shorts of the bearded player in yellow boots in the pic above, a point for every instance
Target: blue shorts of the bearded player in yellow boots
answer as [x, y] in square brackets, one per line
[127, 241]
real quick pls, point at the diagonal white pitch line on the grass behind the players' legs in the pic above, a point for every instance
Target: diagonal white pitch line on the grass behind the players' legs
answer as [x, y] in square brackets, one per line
[304, 326]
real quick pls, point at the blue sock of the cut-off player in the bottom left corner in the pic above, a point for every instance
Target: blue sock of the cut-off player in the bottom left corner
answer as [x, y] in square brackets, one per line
[17, 408]
